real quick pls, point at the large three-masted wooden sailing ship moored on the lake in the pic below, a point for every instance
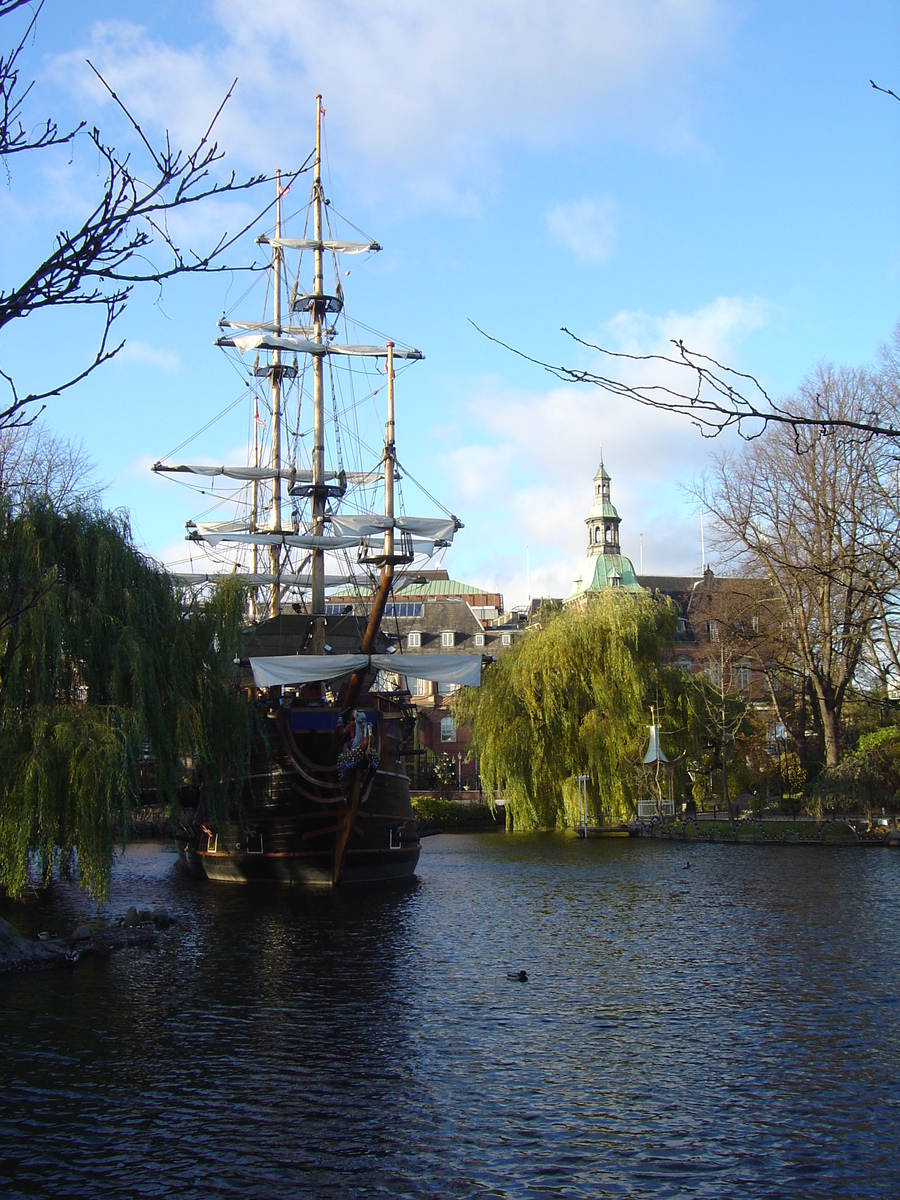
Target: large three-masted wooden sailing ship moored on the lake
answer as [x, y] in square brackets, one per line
[316, 512]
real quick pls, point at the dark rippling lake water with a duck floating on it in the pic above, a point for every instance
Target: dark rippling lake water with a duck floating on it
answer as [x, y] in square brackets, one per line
[731, 1030]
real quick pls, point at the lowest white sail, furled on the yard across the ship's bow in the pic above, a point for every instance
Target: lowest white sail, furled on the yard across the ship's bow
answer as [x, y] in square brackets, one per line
[298, 669]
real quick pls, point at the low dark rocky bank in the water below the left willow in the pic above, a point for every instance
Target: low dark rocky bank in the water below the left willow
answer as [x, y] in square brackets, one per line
[99, 937]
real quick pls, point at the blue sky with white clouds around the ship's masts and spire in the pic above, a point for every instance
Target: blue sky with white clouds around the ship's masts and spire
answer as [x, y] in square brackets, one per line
[632, 170]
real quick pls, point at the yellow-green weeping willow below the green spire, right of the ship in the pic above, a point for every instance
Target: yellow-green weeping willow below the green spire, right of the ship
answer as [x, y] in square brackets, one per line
[574, 699]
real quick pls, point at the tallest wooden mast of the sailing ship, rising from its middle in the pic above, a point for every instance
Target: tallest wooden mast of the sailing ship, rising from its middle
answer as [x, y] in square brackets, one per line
[319, 399]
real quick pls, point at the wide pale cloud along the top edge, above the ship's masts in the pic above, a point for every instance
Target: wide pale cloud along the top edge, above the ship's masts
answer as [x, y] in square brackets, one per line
[422, 95]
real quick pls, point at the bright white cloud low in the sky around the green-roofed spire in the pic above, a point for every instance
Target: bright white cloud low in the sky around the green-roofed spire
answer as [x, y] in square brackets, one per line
[527, 482]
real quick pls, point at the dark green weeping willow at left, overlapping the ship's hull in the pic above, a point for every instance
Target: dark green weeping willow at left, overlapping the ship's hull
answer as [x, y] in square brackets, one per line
[103, 663]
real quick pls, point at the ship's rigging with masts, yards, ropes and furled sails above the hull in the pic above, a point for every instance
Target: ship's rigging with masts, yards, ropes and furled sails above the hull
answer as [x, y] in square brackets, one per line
[315, 507]
